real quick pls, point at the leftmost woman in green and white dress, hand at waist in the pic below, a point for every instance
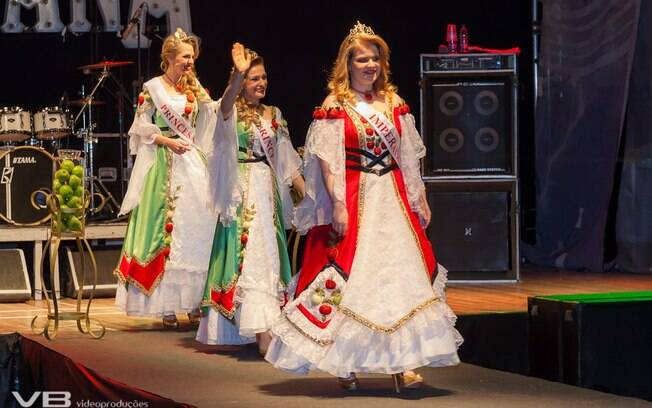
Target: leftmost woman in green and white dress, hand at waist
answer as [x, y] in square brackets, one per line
[164, 260]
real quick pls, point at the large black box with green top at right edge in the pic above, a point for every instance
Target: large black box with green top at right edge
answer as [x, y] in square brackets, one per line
[599, 341]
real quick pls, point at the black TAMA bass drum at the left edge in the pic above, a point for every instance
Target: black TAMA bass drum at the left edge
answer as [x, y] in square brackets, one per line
[26, 174]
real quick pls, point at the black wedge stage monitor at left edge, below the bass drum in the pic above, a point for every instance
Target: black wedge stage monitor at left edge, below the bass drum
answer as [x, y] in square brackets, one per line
[14, 279]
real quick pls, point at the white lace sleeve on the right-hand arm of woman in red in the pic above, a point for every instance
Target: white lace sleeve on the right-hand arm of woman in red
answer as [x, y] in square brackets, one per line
[412, 150]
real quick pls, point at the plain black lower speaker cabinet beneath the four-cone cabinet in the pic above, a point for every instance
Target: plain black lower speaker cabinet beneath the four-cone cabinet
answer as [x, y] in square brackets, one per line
[474, 228]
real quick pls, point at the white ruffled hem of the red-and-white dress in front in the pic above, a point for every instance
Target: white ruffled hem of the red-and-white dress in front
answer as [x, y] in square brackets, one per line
[428, 339]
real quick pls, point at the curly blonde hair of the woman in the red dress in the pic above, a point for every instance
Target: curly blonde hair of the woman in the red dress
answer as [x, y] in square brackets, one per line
[339, 82]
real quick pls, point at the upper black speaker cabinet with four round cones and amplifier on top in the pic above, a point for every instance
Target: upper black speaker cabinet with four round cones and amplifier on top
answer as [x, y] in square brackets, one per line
[469, 115]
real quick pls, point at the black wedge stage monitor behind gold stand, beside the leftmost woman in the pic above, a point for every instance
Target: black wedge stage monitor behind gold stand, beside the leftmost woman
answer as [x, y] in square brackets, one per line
[106, 258]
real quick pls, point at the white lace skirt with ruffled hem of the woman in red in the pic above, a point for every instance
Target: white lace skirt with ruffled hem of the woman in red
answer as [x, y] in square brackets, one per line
[390, 319]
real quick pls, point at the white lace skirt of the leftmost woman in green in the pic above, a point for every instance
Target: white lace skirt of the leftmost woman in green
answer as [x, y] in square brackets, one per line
[182, 286]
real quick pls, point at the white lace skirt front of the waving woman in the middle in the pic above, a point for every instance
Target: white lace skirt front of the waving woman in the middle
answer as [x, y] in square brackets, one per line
[258, 293]
